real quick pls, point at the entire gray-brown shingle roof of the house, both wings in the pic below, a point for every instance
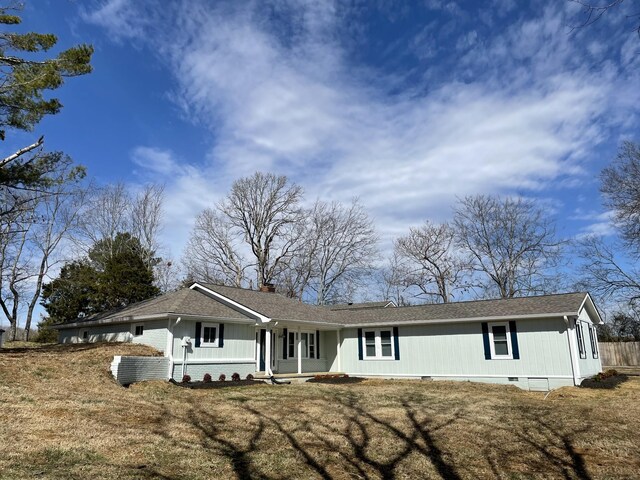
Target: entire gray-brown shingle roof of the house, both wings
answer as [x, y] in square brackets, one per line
[280, 308]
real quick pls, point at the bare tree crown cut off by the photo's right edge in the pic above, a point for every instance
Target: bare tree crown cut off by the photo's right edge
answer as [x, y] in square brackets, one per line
[620, 186]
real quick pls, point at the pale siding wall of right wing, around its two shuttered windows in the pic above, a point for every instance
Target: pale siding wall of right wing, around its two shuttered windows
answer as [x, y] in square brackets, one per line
[455, 351]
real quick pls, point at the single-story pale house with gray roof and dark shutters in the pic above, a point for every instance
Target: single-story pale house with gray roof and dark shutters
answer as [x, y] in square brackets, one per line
[535, 343]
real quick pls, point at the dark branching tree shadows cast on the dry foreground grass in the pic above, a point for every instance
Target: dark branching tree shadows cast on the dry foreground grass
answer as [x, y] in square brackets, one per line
[359, 442]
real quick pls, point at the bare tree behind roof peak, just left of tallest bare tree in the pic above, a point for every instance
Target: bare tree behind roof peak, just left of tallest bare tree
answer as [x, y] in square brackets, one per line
[213, 253]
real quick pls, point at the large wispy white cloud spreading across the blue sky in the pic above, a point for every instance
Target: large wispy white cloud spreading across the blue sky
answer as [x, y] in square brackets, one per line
[526, 114]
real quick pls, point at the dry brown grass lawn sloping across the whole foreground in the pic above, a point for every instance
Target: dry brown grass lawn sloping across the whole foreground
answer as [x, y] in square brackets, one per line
[63, 416]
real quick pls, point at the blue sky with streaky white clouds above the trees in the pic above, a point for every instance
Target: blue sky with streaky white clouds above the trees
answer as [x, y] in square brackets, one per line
[405, 105]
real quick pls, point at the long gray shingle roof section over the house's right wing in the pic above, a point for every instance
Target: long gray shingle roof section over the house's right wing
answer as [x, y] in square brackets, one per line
[561, 304]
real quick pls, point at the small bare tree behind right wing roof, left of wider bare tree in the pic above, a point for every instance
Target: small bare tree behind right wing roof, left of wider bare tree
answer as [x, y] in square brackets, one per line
[433, 265]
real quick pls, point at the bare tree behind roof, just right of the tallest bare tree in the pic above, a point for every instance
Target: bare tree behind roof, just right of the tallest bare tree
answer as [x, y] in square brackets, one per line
[344, 247]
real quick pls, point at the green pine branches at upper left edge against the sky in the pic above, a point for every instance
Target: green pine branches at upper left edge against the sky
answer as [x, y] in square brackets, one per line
[24, 81]
